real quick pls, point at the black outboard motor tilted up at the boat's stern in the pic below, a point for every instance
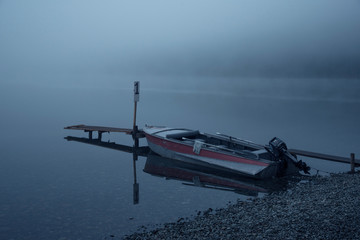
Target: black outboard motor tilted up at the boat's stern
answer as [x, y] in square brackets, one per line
[279, 150]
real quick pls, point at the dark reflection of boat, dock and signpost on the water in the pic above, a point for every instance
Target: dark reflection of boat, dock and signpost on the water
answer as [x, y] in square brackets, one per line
[189, 174]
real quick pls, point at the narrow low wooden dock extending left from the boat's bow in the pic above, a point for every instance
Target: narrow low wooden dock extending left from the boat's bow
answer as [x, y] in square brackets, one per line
[101, 130]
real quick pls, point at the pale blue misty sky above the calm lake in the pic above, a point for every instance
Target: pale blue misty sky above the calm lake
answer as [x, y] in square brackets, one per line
[315, 38]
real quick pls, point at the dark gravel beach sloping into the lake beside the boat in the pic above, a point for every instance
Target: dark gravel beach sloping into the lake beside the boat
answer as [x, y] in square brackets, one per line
[316, 208]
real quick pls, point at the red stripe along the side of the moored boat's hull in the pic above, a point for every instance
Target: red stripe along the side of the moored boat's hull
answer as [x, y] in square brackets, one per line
[185, 149]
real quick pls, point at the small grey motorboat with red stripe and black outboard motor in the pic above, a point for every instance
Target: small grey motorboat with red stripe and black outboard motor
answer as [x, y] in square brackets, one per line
[224, 153]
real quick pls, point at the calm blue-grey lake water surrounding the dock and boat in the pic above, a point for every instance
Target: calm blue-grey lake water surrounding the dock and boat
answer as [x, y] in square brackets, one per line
[53, 189]
